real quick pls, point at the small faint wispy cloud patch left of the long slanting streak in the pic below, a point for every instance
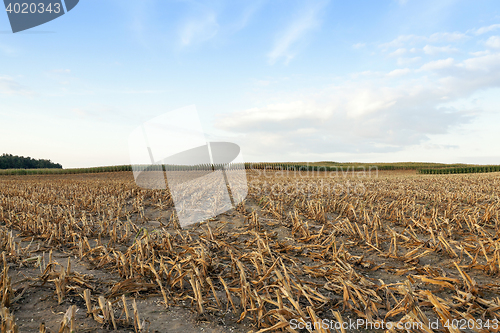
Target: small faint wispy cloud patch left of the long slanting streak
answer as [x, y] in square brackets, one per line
[199, 29]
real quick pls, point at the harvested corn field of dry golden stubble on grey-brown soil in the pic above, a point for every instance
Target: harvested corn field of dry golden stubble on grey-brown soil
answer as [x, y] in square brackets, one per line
[95, 253]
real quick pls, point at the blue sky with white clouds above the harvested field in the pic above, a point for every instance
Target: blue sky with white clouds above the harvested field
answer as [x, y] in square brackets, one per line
[367, 81]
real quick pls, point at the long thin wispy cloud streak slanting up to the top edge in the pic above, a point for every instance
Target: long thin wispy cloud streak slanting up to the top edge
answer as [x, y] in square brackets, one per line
[296, 31]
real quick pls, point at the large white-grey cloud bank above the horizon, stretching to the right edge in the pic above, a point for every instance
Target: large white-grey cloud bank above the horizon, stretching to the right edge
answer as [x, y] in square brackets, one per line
[369, 113]
